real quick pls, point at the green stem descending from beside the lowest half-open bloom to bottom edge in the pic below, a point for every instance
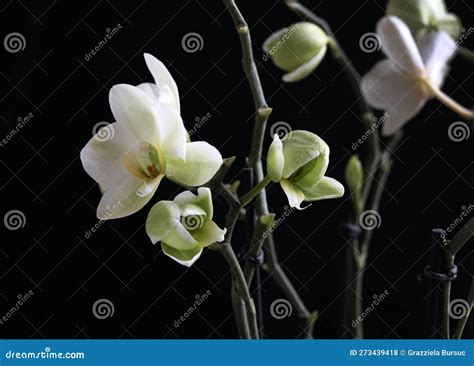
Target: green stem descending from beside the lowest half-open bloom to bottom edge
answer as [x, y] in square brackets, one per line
[240, 286]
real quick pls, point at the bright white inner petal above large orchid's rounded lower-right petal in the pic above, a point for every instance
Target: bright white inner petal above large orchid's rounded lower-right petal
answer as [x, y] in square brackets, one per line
[173, 135]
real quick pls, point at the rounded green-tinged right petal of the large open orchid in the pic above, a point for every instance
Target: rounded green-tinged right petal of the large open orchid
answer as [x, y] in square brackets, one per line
[201, 164]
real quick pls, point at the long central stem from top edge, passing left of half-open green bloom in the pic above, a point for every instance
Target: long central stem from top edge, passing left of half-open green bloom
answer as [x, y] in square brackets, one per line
[255, 159]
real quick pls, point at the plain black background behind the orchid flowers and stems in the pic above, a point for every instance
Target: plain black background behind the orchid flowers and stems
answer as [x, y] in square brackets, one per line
[41, 174]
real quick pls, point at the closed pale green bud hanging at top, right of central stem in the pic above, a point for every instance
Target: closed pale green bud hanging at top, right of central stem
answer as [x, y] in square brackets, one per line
[297, 49]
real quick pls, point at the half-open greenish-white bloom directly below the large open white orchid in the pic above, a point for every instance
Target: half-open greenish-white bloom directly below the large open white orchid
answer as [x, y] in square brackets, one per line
[184, 226]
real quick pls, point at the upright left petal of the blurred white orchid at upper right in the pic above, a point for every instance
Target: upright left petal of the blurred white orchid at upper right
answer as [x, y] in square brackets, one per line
[399, 45]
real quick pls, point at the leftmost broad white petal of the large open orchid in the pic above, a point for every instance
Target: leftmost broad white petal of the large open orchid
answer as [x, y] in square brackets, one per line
[102, 157]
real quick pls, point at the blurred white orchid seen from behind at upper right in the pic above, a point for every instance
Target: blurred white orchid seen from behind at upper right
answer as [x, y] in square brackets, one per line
[411, 75]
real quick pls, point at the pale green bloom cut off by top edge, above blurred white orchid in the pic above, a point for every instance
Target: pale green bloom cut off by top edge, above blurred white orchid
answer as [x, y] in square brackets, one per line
[425, 15]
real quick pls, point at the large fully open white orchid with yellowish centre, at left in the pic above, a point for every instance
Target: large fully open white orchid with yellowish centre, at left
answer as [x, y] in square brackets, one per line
[147, 143]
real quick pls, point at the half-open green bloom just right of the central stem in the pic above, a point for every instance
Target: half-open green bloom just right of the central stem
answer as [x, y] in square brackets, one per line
[299, 164]
